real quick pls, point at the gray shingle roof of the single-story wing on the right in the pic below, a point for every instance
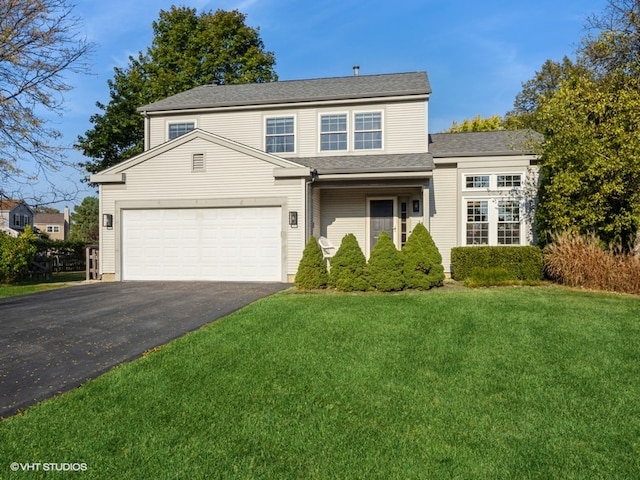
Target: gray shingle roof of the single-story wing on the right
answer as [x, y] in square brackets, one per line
[501, 142]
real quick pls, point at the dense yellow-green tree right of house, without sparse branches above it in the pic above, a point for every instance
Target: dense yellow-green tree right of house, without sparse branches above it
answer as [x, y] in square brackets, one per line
[590, 178]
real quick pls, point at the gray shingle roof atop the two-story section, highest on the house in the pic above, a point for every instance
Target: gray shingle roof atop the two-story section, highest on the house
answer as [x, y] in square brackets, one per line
[321, 89]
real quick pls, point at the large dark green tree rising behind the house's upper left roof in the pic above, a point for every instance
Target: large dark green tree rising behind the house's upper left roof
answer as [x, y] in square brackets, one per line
[188, 50]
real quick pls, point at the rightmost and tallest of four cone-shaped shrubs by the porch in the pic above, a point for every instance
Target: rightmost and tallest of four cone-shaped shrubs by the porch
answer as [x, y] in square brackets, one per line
[422, 260]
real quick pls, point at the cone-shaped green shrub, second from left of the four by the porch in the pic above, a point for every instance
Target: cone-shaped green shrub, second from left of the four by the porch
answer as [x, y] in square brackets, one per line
[348, 267]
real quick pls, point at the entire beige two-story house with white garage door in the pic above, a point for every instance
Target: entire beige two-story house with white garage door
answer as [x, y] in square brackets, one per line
[235, 178]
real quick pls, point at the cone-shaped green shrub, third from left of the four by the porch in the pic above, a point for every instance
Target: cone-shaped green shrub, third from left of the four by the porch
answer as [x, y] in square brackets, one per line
[384, 270]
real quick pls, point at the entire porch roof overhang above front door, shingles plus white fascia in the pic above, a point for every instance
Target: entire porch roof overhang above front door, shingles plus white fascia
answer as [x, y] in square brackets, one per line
[358, 167]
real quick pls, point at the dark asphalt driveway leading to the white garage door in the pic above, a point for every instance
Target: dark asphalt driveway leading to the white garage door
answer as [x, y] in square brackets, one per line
[54, 341]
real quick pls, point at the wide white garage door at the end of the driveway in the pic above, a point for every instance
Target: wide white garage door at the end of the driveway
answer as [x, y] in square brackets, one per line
[234, 244]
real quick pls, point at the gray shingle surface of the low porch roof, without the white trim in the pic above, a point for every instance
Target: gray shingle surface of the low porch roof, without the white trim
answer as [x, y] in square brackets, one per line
[406, 162]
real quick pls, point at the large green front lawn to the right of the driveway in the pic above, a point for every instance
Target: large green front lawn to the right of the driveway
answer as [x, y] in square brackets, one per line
[497, 383]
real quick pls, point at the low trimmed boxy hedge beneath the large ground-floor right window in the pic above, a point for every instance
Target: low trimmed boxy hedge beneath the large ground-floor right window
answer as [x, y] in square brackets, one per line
[521, 263]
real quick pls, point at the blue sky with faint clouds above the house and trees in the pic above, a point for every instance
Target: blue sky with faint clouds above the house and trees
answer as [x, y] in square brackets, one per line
[477, 54]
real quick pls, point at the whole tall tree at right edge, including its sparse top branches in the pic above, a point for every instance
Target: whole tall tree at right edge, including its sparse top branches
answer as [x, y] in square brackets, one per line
[590, 174]
